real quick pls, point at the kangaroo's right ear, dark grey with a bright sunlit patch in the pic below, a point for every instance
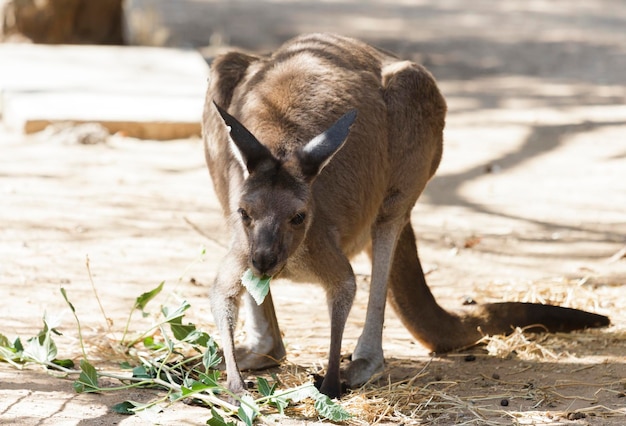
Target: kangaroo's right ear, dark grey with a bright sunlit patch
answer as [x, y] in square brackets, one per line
[316, 154]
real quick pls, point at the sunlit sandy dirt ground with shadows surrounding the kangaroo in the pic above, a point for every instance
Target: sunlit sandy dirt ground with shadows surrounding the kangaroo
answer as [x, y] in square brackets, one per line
[529, 204]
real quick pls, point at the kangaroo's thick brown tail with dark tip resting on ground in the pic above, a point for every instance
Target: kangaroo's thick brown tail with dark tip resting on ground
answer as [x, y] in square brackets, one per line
[442, 331]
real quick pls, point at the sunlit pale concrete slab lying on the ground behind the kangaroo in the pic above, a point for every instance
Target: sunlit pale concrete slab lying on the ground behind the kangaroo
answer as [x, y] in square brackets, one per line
[144, 92]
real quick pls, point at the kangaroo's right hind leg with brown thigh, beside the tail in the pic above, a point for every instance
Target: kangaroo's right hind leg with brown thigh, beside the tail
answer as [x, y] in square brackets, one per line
[415, 119]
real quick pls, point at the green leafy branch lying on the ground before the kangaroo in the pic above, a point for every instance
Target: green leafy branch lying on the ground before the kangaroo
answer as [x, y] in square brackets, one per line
[171, 355]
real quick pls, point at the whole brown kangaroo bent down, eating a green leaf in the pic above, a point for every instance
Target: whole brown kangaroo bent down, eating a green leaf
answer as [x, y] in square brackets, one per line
[319, 152]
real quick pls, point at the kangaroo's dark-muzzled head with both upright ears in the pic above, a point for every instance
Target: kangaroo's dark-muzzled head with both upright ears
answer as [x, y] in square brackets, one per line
[276, 205]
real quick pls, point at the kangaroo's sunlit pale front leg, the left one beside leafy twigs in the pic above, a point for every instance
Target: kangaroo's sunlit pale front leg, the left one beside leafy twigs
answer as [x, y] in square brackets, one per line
[224, 297]
